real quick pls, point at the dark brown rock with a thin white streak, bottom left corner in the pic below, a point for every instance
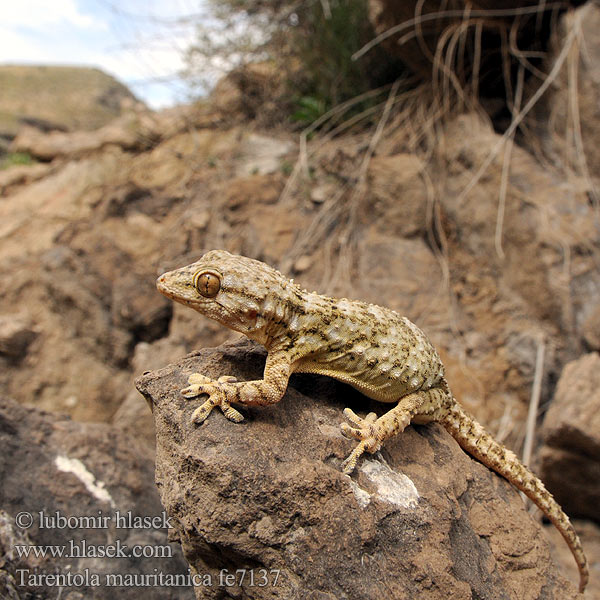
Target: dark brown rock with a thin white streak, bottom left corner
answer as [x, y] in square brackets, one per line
[62, 484]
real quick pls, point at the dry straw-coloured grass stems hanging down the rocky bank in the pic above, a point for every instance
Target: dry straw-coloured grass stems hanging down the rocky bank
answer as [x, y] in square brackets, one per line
[411, 118]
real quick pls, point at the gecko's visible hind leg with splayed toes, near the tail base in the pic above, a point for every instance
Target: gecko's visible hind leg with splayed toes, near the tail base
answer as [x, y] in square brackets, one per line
[372, 431]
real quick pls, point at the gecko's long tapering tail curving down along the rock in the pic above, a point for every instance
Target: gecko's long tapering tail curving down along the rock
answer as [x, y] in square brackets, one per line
[475, 440]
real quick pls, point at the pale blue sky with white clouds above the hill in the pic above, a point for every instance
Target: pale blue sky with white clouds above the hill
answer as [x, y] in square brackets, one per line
[140, 42]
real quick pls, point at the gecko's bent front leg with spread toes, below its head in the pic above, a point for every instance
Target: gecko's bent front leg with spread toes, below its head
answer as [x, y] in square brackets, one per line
[226, 389]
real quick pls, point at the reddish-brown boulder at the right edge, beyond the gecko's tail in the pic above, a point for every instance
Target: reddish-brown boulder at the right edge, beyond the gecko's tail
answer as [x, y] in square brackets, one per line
[570, 456]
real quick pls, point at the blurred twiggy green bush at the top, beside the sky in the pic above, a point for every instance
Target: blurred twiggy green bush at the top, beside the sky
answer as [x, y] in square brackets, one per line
[310, 45]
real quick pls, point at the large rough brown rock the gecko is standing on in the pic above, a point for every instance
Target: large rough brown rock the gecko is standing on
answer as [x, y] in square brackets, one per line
[267, 497]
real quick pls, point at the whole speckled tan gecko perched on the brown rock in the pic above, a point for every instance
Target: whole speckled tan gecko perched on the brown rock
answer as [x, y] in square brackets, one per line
[374, 349]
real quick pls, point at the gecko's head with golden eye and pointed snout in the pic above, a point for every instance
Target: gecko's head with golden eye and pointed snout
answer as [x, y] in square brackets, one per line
[227, 288]
